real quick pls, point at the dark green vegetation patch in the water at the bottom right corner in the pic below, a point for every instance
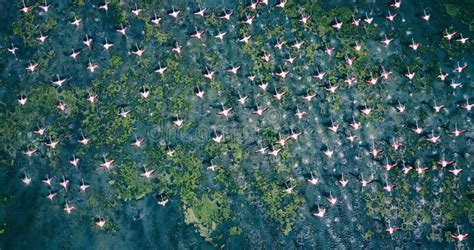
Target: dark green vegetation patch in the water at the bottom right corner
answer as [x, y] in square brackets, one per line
[422, 211]
